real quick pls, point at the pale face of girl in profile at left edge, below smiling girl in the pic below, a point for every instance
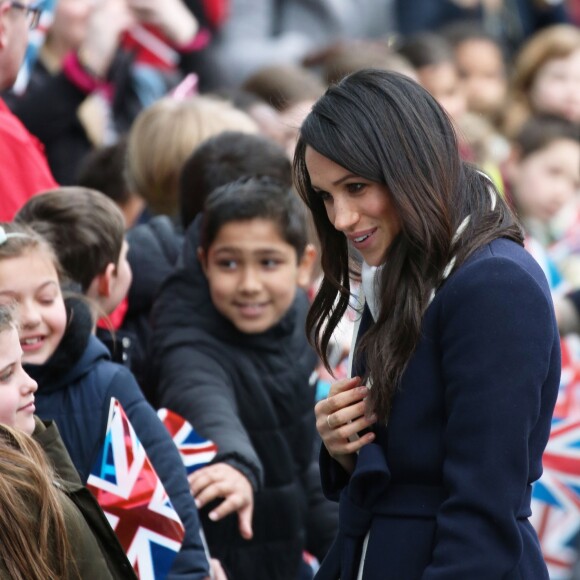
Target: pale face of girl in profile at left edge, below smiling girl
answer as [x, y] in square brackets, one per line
[16, 387]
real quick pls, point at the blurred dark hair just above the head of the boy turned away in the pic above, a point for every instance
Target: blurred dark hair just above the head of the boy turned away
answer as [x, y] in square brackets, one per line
[104, 170]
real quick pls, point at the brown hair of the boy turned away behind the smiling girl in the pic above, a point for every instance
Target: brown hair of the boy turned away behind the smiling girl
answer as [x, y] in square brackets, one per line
[85, 228]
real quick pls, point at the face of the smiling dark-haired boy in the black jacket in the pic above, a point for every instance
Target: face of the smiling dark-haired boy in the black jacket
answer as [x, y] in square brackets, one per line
[253, 274]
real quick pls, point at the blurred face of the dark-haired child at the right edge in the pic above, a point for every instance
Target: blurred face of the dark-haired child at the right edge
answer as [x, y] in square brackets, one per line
[547, 180]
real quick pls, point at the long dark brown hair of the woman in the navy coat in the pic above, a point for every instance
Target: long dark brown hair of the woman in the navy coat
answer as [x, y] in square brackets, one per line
[386, 128]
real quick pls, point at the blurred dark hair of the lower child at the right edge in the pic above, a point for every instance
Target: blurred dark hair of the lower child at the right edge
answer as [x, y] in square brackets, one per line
[541, 130]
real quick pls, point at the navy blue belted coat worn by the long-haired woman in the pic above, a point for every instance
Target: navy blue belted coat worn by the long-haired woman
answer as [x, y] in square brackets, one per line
[445, 488]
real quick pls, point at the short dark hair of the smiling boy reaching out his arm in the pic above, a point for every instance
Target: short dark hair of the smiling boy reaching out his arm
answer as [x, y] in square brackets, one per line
[255, 198]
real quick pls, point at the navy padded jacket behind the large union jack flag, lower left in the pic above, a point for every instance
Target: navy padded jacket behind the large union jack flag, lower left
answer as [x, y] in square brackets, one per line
[75, 388]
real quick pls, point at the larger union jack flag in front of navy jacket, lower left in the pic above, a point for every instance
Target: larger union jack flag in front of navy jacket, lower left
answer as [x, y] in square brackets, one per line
[134, 500]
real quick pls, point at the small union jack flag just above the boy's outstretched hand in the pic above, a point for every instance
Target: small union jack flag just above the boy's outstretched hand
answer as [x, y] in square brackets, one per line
[194, 449]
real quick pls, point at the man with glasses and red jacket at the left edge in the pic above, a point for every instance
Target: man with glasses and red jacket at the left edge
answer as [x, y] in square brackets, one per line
[23, 166]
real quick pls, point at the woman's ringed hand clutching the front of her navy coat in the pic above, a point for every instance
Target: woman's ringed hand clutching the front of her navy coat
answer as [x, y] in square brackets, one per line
[340, 417]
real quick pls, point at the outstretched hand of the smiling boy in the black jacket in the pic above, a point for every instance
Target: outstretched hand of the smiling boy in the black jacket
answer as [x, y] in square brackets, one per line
[222, 480]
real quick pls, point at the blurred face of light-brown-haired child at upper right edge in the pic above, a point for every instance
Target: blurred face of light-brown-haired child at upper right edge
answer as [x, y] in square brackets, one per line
[556, 87]
